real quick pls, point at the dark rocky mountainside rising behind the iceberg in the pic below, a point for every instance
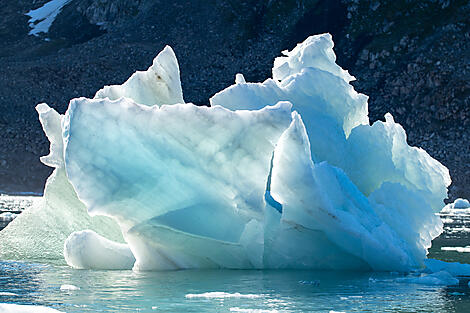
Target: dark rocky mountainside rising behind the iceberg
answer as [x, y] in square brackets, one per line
[411, 57]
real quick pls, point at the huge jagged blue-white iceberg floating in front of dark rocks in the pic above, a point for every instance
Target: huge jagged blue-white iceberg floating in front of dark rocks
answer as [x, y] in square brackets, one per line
[187, 185]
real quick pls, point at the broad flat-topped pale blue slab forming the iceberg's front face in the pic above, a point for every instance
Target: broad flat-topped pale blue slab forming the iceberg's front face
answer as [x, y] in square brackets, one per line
[196, 193]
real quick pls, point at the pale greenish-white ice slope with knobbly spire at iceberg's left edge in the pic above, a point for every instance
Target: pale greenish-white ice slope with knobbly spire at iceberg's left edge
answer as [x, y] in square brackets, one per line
[40, 231]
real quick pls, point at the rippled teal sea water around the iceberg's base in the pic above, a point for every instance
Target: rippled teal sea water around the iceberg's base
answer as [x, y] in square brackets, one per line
[69, 290]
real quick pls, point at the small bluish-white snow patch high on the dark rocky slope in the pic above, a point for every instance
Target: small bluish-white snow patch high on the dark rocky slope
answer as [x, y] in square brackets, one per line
[42, 18]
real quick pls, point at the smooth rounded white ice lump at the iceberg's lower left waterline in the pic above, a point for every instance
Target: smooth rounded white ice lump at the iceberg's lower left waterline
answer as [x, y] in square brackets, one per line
[88, 250]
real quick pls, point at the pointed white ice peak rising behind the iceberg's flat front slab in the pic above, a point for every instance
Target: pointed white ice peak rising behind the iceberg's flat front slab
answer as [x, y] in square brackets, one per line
[159, 84]
